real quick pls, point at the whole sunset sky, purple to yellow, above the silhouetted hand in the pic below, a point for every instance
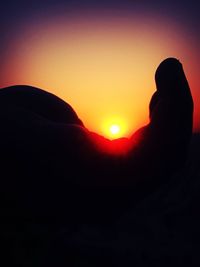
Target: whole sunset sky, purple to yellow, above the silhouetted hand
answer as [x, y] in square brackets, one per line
[100, 56]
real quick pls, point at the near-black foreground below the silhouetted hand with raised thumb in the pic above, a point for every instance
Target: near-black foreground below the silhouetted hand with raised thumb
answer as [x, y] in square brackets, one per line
[163, 230]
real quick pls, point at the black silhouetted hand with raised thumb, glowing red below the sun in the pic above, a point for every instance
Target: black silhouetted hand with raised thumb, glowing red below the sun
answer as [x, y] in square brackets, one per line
[54, 170]
